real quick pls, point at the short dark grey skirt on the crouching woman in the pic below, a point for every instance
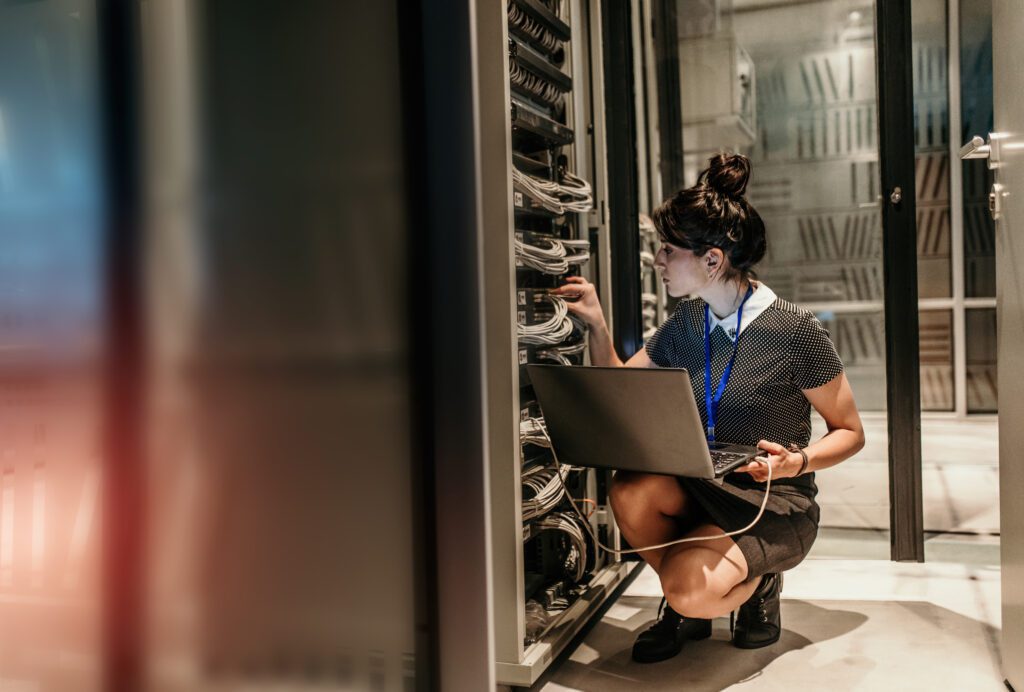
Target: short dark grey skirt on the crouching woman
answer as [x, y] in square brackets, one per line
[785, 534]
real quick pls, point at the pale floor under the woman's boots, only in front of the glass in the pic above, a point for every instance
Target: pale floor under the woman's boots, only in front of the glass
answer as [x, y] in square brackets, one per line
[849, 625]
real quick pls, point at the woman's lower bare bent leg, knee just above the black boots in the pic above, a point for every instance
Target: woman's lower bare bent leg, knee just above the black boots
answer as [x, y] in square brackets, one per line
[706, 579]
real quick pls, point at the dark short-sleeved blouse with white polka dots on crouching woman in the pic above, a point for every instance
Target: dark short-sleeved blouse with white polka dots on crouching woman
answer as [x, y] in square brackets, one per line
[783, 352]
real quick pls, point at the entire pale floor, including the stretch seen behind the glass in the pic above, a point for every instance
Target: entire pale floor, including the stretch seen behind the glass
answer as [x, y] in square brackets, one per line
[854, 621]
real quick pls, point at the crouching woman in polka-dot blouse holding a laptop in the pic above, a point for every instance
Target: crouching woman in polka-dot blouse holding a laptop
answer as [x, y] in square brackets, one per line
[783, 363]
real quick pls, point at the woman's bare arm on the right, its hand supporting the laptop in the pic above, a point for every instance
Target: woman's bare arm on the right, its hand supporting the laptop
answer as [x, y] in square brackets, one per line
[835, 404]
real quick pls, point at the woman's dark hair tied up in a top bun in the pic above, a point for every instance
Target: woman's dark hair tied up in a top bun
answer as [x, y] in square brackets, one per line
[714, 213]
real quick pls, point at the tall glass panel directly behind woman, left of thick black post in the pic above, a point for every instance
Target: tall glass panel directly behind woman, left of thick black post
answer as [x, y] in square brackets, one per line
[793, 86]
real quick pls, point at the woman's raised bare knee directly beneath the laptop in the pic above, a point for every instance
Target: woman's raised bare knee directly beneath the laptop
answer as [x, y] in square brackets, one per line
[650, 510]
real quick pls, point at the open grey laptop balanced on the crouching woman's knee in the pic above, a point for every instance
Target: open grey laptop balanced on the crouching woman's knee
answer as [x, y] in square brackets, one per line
[635, 419]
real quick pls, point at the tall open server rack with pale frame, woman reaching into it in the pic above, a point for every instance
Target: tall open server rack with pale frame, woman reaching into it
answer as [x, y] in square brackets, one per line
[546, 125]
